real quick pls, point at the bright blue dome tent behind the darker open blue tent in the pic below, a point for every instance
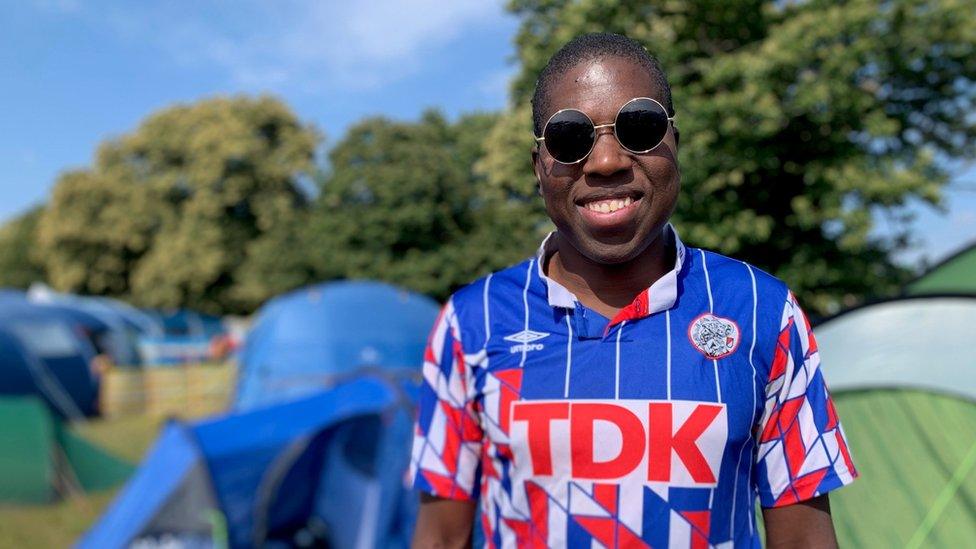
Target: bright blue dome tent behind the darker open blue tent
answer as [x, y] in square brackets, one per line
[306, 339]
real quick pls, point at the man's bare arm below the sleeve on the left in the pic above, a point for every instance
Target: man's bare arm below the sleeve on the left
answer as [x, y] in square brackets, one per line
[443, 522]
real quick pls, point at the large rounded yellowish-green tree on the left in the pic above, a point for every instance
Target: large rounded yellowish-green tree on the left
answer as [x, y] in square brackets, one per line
[181, 211]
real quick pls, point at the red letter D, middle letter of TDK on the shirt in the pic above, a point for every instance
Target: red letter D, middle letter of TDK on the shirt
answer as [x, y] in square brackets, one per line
[581, 437]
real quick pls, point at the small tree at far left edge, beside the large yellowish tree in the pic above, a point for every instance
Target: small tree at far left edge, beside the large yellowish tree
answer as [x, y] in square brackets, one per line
[19, 265]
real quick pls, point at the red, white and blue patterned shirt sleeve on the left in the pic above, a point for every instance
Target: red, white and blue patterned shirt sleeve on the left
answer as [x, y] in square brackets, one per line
[447, 436]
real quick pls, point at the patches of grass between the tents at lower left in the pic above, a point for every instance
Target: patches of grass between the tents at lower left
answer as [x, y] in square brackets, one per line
[59, 524]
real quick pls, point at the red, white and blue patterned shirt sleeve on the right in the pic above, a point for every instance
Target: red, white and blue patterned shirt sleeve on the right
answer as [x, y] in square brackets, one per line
[802, 452]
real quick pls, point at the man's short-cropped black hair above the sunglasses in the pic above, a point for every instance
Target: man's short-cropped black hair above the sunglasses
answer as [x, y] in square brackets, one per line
[593, 46]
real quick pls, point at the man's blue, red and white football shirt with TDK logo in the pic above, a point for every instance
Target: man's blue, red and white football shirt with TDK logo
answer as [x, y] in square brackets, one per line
[646, 430]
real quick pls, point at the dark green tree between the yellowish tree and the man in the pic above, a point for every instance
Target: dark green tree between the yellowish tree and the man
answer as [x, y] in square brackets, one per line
[403, 203]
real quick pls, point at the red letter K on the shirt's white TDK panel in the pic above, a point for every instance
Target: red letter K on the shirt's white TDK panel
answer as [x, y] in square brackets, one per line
[662, 440]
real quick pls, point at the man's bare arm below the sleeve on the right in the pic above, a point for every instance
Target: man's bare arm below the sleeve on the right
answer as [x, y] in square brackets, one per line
[801, 525]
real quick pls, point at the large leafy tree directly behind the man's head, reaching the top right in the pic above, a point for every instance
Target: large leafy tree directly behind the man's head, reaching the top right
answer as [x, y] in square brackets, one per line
[798, 121]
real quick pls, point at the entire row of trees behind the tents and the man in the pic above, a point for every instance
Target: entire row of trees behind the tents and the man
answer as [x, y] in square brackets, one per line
[800, 123]
